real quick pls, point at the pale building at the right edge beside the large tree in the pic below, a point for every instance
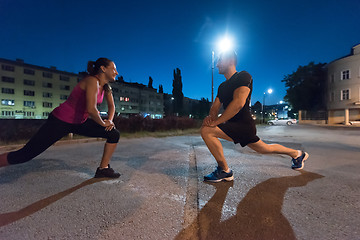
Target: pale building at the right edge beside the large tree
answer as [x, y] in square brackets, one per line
[344, 88]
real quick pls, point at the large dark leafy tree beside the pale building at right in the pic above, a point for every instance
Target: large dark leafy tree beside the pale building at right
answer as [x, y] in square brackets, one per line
[306, 88]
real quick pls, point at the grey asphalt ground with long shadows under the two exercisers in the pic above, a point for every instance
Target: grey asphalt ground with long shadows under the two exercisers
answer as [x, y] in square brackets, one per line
[161, 195]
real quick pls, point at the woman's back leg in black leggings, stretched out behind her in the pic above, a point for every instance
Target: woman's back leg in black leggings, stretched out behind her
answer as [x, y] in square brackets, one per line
[48, 134]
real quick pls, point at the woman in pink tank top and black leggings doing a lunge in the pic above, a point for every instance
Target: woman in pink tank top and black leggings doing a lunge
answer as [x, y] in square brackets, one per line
[72, 116]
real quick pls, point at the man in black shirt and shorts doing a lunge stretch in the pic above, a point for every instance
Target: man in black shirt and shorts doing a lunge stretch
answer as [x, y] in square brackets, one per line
[236, 123]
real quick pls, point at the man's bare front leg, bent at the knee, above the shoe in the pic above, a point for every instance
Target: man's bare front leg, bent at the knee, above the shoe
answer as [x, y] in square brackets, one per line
[211, 137]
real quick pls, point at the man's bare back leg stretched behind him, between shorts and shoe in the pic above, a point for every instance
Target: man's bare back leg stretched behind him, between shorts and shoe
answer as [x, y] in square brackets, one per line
[264, 148]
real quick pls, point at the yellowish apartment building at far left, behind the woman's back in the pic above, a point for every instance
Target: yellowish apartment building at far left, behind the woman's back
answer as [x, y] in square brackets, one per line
[30, 91]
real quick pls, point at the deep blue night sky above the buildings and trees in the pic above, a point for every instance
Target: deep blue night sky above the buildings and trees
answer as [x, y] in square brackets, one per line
[152, 38]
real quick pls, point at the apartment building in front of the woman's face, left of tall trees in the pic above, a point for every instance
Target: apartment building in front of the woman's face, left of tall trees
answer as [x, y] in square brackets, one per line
[135, 99]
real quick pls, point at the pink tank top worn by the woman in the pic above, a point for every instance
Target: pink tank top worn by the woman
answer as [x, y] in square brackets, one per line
[73, 110]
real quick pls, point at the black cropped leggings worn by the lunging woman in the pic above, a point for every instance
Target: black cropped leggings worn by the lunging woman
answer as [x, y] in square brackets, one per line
[52, 131]
